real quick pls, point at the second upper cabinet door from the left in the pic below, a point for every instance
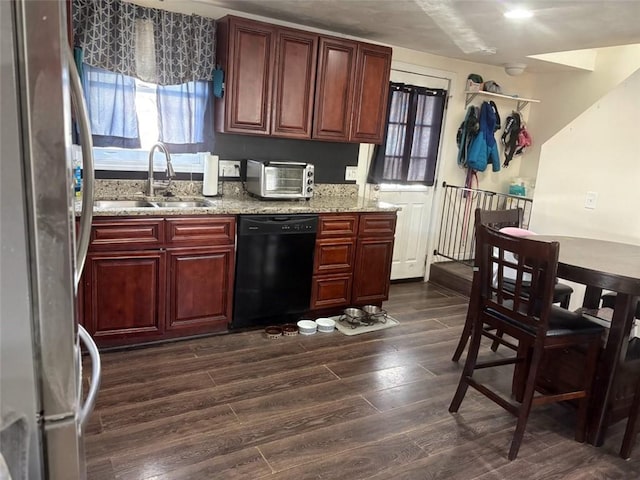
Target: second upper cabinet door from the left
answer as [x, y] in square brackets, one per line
[294, 83]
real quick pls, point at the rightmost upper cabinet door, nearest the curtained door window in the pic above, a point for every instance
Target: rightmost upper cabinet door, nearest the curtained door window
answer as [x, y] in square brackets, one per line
[370, 94]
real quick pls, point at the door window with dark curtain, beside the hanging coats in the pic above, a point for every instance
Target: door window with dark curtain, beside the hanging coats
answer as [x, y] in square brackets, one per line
[409, 153]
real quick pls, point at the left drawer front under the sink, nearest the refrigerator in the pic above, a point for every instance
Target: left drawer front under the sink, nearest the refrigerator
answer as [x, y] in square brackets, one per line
[126, 234]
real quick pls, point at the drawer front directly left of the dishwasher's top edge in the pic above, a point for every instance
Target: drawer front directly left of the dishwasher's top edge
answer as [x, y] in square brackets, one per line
[200, 231]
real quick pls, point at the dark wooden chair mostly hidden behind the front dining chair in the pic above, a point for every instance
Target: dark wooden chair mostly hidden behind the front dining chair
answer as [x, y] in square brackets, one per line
[499, 219]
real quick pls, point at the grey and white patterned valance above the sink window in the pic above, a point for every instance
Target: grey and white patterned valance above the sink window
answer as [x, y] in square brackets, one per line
[153, 45]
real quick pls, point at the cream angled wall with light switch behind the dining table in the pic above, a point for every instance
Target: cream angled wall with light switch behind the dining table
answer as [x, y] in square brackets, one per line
[599, 152]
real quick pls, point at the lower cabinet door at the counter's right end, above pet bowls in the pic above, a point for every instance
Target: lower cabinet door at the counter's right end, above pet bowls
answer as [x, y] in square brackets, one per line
[372, 274]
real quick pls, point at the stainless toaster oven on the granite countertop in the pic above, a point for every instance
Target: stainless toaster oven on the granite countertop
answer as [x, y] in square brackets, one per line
[275, 179]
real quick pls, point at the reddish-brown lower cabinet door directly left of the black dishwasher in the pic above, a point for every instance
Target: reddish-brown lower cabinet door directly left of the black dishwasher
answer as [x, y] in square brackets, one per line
[200, 289]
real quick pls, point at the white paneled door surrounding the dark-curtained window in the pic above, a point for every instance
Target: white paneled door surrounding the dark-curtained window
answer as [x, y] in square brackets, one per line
[412, 229]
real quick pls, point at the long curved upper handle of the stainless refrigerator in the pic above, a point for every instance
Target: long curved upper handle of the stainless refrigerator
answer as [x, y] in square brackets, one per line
[84, 129]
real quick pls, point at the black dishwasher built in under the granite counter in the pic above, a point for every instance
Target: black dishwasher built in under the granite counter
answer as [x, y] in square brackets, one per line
[274, 266]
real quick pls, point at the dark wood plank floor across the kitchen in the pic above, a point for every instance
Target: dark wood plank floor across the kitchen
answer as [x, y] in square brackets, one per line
[327, 406]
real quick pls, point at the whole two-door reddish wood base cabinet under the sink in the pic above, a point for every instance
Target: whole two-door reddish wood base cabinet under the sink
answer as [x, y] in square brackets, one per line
[174, 280]
